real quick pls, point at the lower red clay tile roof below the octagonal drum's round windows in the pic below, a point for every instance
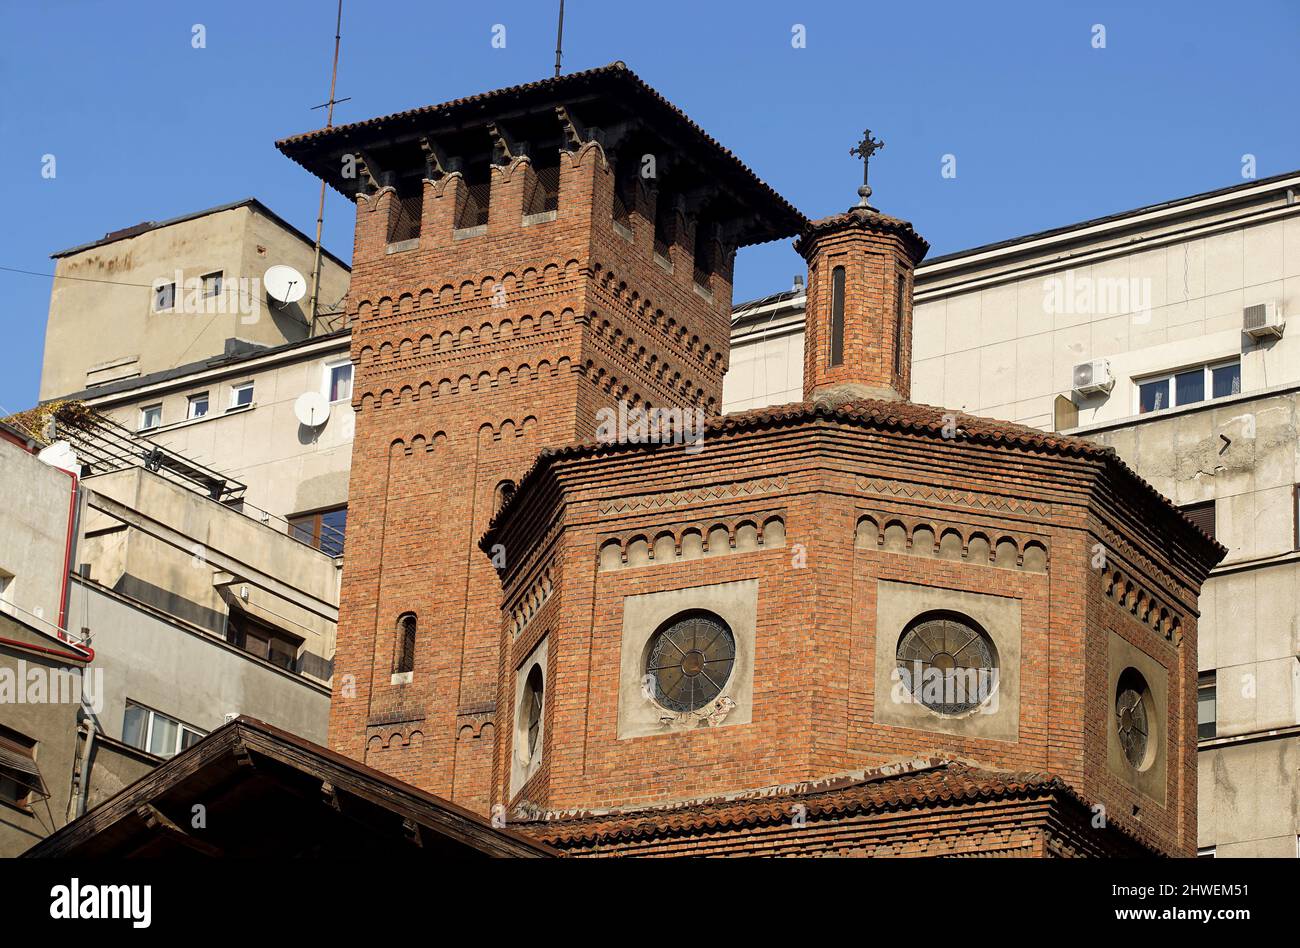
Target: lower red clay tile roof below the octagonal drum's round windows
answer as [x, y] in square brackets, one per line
[918, 785]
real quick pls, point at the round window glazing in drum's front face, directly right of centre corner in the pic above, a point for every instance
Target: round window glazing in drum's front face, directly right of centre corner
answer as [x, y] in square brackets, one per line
[947, 663]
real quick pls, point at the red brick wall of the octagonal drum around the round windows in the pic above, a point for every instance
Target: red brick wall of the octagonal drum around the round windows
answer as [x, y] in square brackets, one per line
[814, 692]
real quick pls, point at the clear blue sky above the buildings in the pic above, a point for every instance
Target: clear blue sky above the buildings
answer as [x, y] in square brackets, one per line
[1046, 129]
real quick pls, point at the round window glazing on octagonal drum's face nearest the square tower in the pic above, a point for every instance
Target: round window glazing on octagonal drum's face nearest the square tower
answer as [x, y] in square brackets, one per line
[691, 659]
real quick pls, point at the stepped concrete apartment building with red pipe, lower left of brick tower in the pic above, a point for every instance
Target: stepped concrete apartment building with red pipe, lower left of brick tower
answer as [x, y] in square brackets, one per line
[132, 572]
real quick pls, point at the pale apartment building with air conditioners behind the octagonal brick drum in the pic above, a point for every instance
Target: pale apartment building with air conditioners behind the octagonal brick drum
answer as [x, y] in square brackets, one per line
[1176, 315]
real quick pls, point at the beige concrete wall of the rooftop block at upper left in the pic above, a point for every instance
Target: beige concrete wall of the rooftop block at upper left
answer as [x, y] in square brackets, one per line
[102, 324]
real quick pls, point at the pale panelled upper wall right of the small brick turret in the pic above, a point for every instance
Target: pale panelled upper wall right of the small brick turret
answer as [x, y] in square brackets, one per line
[1002, 350]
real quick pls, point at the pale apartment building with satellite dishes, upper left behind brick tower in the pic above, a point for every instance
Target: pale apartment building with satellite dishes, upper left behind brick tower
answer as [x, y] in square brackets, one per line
[218, 387]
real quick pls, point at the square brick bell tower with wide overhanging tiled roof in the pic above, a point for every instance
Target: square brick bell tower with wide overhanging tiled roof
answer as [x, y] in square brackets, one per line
[523, 258]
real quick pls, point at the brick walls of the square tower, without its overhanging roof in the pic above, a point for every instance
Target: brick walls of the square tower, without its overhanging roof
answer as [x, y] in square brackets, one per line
[474, 350]
